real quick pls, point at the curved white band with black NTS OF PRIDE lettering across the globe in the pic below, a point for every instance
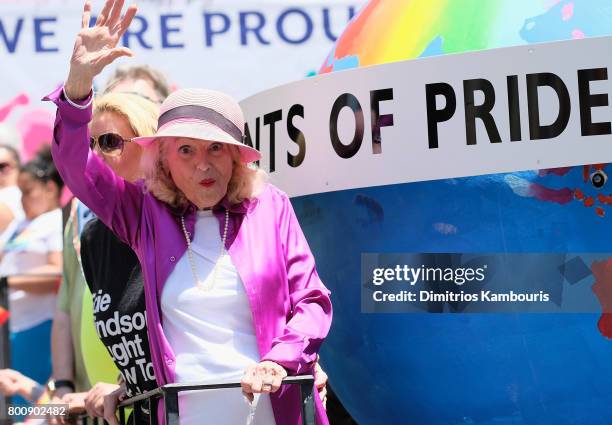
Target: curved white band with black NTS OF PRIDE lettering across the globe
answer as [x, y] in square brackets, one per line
[502, 110]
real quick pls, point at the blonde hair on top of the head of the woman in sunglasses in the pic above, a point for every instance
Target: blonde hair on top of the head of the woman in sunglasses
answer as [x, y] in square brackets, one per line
[140, 113]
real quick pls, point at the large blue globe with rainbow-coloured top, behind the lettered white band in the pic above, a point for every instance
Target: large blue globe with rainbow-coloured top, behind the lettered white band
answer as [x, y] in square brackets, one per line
[485, 369]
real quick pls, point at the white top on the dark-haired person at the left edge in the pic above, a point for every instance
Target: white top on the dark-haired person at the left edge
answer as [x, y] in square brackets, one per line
[27, 248]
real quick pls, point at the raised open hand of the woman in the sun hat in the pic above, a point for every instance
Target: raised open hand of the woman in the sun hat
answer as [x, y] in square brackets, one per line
[96, 47]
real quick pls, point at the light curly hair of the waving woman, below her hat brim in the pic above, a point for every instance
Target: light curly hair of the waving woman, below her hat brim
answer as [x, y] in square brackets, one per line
[245, 182]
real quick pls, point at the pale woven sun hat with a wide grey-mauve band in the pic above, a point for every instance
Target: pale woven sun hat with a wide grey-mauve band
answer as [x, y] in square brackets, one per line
[202, 114]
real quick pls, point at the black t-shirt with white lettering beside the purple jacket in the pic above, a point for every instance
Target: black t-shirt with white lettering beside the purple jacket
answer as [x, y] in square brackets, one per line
[114, 277]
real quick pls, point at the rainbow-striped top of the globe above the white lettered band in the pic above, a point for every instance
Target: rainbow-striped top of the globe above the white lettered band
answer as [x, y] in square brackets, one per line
[394, 30]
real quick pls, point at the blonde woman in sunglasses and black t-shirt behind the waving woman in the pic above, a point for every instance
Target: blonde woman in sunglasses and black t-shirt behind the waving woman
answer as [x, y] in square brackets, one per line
[110, 266]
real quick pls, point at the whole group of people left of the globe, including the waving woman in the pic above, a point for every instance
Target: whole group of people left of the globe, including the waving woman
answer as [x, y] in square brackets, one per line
[178, 261]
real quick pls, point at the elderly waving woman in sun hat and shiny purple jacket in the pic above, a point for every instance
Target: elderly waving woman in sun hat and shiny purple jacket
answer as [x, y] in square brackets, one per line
[230, 283]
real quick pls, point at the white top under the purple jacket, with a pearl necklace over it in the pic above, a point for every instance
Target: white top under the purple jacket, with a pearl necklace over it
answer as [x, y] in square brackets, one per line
[212, 333]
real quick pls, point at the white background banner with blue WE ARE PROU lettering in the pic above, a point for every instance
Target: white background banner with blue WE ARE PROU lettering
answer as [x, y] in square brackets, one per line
[237, 46]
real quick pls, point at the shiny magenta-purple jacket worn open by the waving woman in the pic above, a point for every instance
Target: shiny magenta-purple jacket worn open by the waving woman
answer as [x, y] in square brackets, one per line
[291, 307]
